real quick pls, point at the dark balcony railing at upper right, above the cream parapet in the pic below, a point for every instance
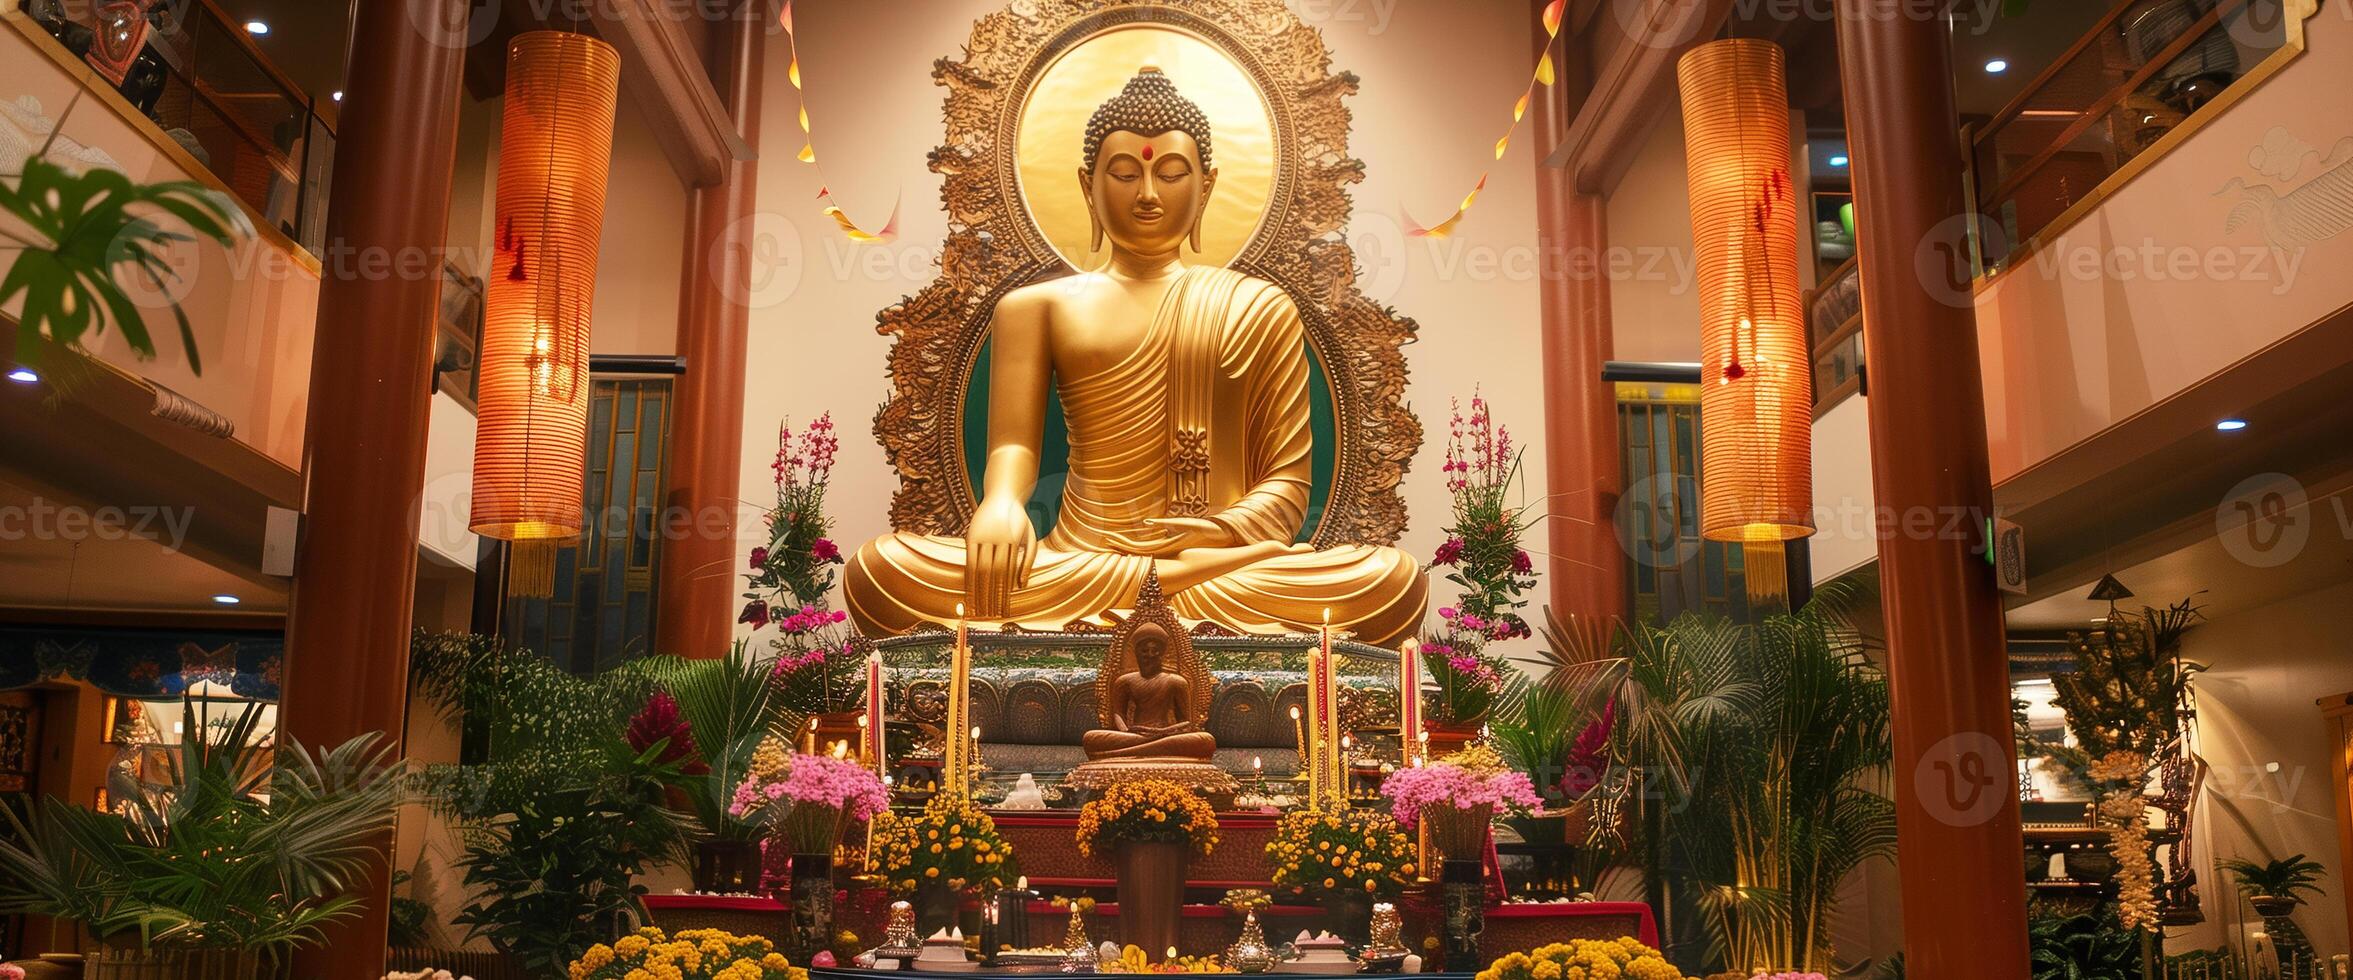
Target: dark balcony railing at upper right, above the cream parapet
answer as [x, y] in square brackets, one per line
[2142, 79]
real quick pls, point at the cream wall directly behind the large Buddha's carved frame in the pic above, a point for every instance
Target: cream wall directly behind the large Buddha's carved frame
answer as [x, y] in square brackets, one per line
[1439, 81]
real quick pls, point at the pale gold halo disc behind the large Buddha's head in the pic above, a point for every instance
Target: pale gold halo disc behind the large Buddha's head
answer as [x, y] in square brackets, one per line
[1055, 121]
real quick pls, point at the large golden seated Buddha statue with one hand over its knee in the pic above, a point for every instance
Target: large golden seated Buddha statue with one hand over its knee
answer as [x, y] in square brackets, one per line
[1187, 402]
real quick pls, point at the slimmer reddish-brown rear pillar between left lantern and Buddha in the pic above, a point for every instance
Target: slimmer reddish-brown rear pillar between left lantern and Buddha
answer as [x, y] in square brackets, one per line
[698, 588]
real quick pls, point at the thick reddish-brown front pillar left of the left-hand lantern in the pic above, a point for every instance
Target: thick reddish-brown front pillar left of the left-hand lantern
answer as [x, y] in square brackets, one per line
[371, 395]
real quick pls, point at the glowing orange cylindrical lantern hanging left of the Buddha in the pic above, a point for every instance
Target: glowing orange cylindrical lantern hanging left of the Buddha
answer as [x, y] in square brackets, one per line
[533, 409]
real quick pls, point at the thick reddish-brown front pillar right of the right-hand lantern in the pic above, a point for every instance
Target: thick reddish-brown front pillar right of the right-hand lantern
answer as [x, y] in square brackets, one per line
[1954, 757]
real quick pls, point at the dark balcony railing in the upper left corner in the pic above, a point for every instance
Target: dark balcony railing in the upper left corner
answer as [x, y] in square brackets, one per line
[215, 98]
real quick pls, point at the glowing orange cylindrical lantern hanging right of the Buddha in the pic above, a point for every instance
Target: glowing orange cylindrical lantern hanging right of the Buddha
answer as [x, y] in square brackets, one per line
[1757, 406]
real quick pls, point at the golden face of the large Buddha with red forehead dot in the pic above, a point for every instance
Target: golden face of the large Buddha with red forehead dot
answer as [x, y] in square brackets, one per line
[1147, 194]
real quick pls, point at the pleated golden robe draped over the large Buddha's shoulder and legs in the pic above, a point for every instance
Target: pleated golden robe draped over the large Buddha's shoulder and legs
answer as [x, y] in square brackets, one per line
[1206, 418]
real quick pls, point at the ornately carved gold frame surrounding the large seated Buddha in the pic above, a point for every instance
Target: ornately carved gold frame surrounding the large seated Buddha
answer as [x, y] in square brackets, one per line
[1298, 244]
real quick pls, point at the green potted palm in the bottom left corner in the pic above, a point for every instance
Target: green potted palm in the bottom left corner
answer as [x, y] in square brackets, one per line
[222, 868]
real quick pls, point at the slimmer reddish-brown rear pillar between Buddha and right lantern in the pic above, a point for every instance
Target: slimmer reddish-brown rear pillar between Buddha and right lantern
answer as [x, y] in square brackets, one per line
[1585, 562]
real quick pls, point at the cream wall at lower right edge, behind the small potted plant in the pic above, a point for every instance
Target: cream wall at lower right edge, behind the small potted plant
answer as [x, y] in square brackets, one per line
[2267, 793]
